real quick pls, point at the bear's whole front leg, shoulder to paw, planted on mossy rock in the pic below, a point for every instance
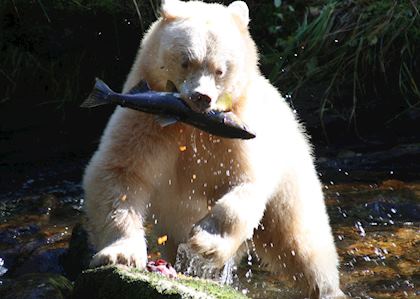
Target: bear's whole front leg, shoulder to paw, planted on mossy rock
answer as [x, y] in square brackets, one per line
[119, 182]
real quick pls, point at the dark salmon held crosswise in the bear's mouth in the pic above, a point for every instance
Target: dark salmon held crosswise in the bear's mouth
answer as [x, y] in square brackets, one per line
[169, 108]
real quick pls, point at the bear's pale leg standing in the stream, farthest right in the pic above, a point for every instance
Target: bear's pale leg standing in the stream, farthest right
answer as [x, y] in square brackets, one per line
[295, 237]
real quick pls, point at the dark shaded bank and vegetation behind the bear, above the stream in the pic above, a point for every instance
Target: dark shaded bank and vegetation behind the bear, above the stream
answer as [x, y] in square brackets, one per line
[349, 68]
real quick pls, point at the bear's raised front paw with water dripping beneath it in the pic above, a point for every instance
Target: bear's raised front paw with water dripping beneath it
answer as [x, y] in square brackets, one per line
[206, 239]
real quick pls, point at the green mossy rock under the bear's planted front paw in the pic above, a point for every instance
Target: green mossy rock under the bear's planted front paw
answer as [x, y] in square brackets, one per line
[124, 283]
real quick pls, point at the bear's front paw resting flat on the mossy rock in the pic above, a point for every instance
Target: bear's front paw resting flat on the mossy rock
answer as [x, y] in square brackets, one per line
[124, 252]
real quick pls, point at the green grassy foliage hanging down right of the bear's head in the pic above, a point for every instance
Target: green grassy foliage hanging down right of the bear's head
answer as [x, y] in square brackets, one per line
[356, 47]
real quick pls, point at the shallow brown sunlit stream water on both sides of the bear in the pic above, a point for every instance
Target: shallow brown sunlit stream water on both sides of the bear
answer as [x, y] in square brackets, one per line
[376, 227]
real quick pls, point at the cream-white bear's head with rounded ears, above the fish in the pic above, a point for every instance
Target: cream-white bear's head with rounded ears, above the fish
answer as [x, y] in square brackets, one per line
[204, 49]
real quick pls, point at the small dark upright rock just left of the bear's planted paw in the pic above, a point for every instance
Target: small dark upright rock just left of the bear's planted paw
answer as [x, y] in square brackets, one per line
[77, 257]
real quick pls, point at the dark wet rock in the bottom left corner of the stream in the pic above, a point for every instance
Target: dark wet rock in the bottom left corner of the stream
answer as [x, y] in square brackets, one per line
[36, 286]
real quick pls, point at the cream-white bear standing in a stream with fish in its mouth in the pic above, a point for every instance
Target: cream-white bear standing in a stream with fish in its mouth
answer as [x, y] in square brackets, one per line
[210, 192]
